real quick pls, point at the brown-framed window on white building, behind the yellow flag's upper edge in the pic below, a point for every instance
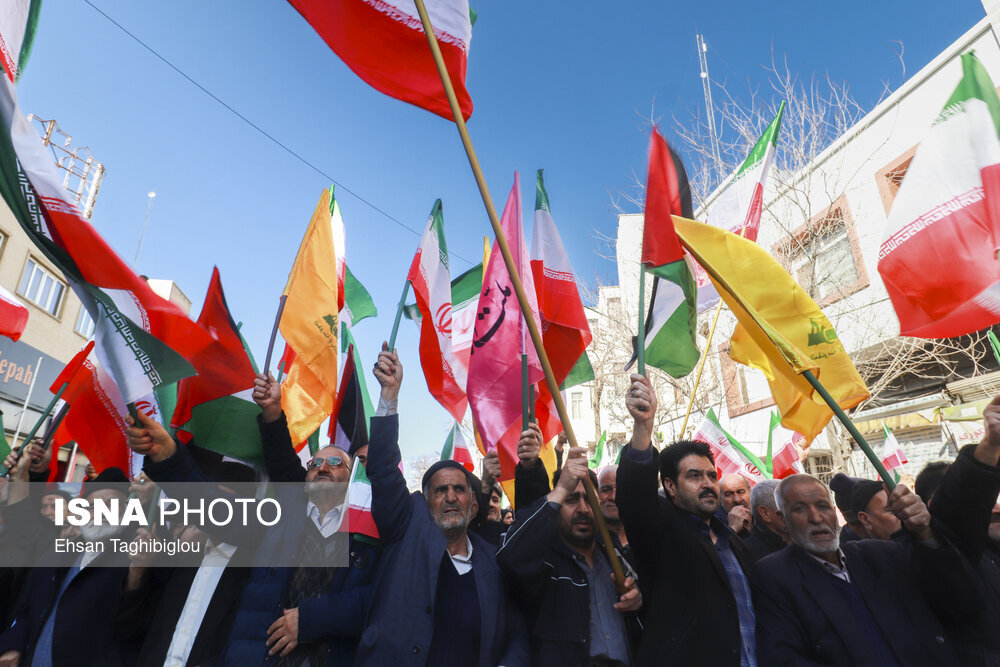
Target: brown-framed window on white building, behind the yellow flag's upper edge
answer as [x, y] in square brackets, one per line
[825, 257]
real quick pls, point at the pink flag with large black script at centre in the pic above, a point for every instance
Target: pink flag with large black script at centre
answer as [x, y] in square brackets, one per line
[494, 385]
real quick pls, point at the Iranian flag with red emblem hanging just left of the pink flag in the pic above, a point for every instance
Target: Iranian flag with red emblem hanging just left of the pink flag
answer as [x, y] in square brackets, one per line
[431, 280]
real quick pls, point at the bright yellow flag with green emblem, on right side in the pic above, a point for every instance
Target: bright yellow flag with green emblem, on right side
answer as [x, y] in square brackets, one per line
[781, 330]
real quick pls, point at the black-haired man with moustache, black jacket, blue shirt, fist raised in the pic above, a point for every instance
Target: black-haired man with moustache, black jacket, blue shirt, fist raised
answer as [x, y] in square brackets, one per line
[692, 568]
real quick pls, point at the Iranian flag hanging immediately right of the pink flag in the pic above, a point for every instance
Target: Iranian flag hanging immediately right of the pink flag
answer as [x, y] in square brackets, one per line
[565, 331]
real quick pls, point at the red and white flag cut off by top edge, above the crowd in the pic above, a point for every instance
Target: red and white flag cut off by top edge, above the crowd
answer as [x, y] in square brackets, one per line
[384, 43]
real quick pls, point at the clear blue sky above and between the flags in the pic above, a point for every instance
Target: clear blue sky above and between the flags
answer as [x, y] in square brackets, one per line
[557, 85]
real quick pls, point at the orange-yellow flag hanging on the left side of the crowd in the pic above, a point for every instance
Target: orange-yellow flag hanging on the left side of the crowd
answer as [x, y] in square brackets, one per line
[309, 326]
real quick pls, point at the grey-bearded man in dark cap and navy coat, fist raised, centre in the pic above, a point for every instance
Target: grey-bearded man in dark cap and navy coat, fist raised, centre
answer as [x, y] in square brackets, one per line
[440, 598]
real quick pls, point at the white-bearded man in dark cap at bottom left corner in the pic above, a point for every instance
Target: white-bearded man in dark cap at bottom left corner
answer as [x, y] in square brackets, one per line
[63, 618]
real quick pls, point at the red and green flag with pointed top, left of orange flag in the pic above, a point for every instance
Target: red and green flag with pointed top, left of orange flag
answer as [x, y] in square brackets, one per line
[216, 414]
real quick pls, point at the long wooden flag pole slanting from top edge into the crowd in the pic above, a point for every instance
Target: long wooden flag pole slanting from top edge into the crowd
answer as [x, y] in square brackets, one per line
[515, 279]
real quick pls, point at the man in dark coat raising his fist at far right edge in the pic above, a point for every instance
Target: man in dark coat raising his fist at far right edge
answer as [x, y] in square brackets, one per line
[963, 501]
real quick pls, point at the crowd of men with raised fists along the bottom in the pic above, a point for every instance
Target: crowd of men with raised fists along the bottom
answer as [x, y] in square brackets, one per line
[711, 572]
